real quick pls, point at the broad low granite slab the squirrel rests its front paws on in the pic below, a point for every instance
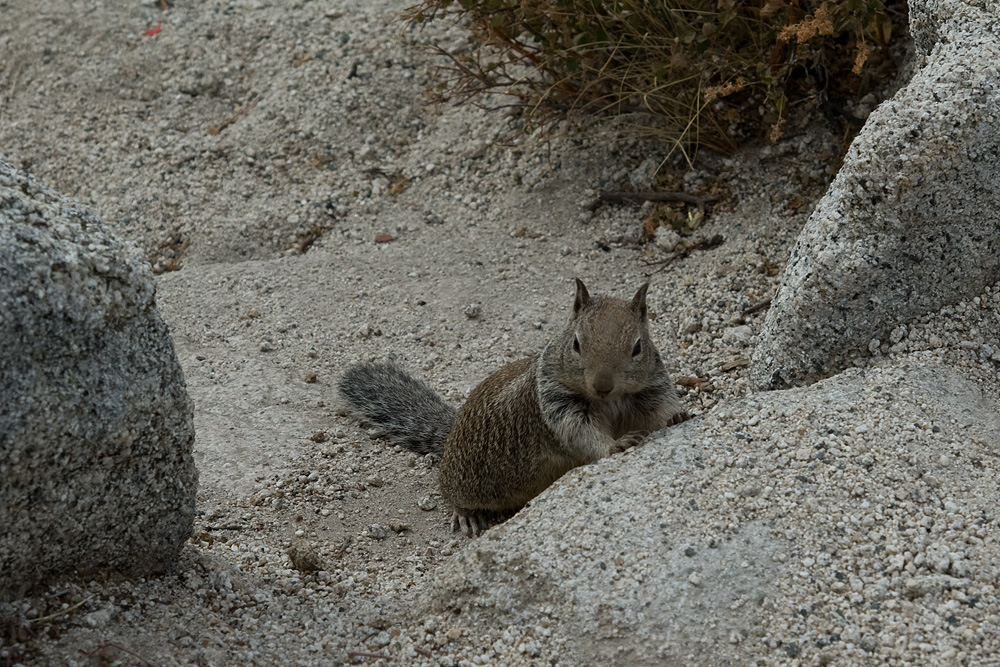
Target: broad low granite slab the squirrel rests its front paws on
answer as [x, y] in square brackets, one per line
[813, 523]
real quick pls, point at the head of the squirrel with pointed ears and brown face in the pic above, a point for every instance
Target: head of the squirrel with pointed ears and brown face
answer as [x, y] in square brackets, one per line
[607, 351]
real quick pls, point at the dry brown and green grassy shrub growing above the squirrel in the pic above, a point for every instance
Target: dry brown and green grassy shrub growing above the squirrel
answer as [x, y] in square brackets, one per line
[706, 71]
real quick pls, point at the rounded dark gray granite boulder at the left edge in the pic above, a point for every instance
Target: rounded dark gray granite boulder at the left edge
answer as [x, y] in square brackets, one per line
[95, 423]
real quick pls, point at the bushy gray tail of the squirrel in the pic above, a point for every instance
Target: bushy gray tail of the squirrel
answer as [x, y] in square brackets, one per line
[406, 409]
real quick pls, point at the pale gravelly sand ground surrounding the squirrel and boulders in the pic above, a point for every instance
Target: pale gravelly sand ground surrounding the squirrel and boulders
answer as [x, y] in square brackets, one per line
[257, 153]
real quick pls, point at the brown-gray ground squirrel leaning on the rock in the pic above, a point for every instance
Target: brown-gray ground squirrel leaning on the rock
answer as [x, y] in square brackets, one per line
[599, 387]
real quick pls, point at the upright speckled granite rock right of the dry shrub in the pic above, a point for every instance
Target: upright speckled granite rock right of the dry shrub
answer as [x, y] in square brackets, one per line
[912, 221]
